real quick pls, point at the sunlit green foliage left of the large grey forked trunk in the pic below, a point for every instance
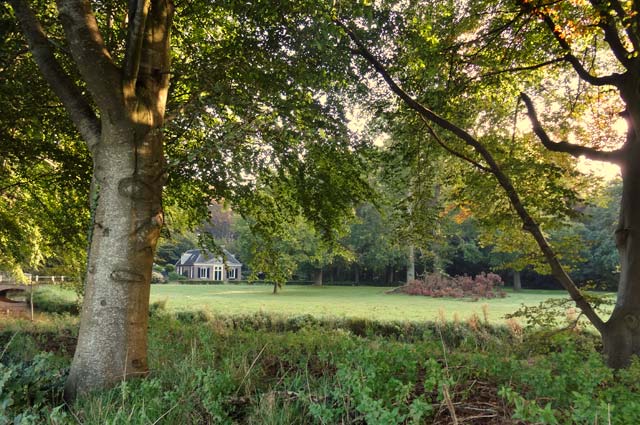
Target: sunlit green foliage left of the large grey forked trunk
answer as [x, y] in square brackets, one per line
[44, 168]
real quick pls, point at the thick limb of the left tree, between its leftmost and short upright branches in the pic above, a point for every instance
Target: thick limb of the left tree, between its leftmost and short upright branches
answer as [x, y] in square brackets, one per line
[90, 54]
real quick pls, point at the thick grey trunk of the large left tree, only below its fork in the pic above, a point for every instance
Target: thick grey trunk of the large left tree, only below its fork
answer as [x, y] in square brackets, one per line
[112, 343]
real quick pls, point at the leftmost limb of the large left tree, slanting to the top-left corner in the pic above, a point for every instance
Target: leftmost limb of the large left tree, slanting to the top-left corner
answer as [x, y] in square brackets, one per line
[81, 113]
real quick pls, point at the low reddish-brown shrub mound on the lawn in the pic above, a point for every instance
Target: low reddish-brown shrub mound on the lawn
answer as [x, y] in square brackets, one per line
[484, 285]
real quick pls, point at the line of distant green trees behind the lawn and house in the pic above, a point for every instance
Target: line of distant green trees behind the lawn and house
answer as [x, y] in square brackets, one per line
[373, 251]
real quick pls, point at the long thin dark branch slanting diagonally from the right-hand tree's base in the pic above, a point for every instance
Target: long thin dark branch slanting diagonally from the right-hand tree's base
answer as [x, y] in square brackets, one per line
[528, 222]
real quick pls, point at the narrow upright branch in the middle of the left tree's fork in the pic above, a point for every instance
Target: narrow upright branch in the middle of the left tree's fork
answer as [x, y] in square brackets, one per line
[138, 11]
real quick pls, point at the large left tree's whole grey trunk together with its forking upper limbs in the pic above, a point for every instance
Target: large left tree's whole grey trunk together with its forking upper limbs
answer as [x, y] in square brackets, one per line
[125, 139]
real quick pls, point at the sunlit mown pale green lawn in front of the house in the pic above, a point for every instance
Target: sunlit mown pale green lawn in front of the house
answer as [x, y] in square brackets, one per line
[338, 301]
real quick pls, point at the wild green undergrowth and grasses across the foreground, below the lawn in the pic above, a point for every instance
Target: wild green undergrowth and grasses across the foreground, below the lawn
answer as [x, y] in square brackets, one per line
[266, 369]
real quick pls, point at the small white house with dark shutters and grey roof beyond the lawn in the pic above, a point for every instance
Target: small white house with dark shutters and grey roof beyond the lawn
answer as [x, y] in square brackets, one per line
[202, 265]
